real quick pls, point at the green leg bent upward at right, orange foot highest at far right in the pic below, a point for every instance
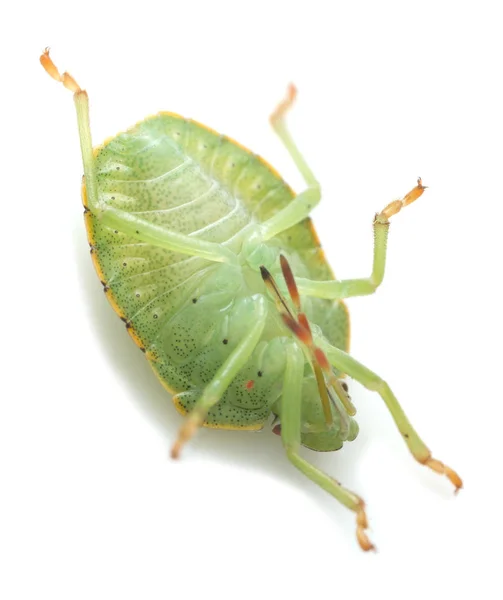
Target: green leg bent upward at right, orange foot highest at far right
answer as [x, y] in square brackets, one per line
[347, 288]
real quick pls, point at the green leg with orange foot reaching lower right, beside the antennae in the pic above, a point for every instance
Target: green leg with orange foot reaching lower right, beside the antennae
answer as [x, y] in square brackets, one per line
[347, 364]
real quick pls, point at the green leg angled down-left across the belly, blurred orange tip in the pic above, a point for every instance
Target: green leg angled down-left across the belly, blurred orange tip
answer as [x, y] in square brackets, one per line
[224, 376]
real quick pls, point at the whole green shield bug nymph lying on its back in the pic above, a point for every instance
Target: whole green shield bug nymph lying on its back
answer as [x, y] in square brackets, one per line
[212, 262]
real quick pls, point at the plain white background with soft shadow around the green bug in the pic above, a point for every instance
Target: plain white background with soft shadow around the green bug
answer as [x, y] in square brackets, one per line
[91, 506]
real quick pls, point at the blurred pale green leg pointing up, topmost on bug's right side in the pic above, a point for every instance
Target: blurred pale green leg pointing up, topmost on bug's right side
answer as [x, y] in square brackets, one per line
[300, 207]
